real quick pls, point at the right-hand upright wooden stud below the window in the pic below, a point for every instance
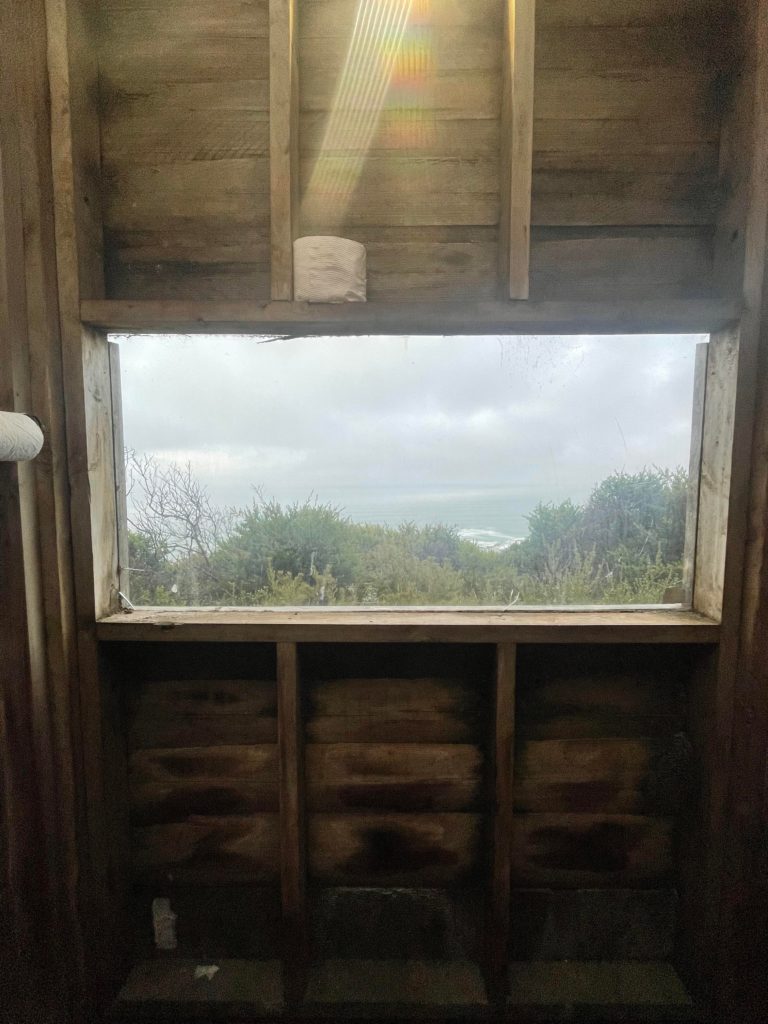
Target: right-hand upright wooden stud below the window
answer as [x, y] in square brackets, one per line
[504, 744]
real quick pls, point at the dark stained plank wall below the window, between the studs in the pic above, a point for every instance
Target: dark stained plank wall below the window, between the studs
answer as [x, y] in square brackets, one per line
[399, 766]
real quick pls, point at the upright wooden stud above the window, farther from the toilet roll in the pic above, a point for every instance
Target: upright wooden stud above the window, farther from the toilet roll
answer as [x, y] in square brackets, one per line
[518, 147]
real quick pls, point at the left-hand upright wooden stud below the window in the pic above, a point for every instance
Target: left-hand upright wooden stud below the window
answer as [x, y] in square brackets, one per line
[292, 825]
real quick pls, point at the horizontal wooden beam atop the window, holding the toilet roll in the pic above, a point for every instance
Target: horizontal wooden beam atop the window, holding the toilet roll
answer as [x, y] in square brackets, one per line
[305, 320]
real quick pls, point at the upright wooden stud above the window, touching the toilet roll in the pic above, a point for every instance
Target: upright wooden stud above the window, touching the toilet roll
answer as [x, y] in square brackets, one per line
[284, 143]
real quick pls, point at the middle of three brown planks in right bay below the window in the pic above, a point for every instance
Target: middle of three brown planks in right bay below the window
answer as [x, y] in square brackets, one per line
[613, 777]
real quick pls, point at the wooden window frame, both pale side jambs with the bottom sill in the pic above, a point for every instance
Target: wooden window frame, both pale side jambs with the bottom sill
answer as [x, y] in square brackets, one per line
[697, 620]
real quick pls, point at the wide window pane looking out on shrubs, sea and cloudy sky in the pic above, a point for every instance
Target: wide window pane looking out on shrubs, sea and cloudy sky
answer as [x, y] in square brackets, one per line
[409, 472]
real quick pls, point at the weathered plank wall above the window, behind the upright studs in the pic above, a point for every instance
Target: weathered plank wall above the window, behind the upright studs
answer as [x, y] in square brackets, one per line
[626, 149]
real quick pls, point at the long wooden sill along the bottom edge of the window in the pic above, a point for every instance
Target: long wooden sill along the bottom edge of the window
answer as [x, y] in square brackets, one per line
[364, 626]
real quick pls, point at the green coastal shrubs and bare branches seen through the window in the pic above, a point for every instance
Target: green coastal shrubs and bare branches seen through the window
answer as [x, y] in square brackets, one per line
[623, 546]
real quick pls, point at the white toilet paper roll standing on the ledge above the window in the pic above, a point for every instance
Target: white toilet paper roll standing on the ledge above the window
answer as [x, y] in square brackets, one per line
[329, 270]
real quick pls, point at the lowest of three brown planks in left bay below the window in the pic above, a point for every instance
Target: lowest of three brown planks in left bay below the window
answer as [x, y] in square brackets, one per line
[210, 850]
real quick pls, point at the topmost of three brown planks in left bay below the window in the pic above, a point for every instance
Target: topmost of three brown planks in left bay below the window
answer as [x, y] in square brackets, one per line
[202, 713]
